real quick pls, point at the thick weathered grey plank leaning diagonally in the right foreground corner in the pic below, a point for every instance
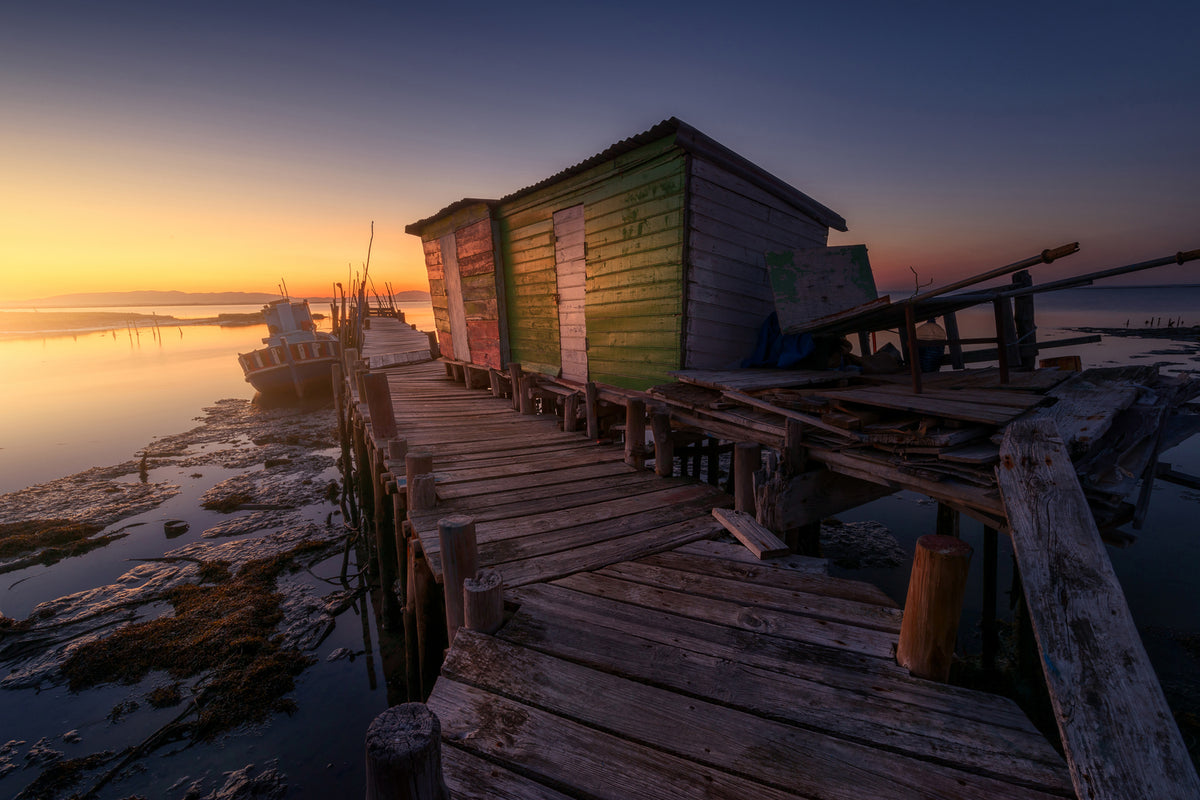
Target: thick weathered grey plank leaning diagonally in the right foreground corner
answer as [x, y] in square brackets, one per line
[1118, 731]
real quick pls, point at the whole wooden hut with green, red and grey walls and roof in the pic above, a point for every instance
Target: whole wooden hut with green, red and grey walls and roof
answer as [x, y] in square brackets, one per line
[644, 260]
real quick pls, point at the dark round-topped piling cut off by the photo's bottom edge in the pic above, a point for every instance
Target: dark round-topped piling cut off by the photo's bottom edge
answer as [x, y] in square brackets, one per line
[405, 755]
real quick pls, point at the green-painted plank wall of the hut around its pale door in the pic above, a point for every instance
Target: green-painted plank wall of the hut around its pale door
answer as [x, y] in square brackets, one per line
[634, 228]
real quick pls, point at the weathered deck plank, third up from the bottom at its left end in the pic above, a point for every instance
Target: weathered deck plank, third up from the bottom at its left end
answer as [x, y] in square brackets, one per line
[688, 729]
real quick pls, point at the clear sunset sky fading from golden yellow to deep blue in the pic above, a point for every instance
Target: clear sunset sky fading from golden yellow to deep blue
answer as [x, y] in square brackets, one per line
[223, 146]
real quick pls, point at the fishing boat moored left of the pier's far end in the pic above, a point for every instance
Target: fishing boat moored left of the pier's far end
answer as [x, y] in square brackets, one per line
[297, 359]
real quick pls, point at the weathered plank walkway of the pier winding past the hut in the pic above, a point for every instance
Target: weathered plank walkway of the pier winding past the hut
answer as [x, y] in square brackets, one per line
[643, 658]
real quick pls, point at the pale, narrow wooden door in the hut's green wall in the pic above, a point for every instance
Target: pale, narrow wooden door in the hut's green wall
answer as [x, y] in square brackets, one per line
[571, 268]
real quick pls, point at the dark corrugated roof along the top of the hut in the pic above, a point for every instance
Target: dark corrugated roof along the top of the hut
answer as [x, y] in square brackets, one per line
[692, 141]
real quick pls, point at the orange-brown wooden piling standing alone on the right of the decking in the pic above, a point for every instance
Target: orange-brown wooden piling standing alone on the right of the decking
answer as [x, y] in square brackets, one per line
[934, 606]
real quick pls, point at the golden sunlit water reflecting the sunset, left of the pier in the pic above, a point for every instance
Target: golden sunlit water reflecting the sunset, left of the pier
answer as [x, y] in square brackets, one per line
[70, 402]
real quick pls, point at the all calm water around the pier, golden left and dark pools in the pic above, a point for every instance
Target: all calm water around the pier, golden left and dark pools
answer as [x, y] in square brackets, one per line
[74, 402]
